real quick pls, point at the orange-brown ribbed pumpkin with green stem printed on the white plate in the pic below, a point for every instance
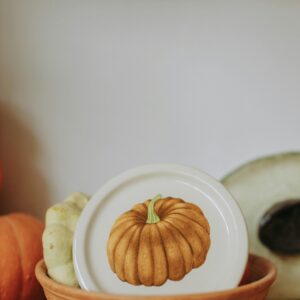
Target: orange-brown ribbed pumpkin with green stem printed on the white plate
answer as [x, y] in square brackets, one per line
[160, 239]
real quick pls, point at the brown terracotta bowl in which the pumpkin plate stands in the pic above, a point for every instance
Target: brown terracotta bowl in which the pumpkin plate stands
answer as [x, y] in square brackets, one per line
[262, 275]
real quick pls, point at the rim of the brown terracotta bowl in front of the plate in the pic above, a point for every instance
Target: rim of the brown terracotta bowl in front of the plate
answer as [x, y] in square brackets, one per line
[250, 288]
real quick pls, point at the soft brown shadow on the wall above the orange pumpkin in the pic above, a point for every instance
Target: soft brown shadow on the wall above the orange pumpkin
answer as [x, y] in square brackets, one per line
[23, 188]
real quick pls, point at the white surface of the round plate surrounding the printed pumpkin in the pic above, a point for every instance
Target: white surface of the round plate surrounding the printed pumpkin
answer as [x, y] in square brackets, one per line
[228, 252]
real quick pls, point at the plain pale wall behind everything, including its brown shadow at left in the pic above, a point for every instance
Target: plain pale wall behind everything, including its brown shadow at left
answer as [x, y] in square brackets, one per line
[91, 88]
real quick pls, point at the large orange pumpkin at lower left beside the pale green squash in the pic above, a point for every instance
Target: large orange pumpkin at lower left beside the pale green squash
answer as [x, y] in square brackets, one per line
[20, 250]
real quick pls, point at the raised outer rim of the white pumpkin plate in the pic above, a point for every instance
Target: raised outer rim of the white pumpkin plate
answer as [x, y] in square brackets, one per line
[110, 185]
